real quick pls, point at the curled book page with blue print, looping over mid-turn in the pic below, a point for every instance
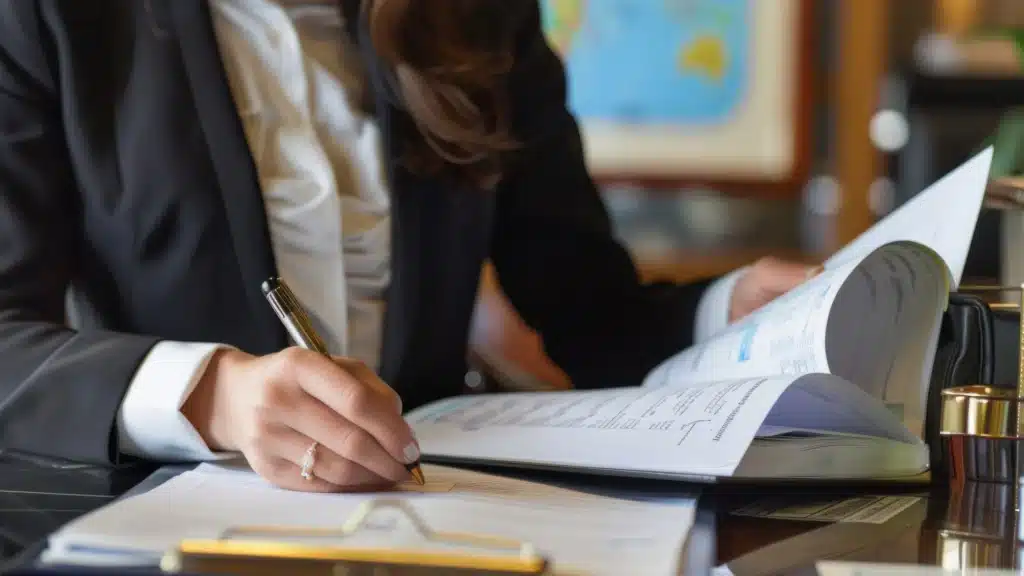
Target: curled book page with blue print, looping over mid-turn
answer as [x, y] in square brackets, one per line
[872, 322]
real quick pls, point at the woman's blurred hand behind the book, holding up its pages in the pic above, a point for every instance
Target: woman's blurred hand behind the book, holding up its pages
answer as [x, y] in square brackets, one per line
[765, 281]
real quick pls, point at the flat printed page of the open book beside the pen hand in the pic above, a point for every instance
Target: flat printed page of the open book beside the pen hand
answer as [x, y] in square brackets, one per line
[697, 432]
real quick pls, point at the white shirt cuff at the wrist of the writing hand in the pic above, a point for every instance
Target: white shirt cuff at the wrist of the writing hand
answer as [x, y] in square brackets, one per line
[150, 423]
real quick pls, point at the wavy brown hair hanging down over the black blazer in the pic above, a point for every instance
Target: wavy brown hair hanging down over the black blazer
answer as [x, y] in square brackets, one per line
[451, 61]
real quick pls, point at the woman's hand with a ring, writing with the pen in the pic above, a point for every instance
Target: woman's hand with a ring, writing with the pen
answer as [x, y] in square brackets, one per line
[273, 408]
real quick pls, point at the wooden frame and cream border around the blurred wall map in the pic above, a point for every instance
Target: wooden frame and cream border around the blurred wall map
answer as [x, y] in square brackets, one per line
[762, 147]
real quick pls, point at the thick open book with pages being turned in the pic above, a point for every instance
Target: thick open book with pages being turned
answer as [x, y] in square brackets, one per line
[829, 382]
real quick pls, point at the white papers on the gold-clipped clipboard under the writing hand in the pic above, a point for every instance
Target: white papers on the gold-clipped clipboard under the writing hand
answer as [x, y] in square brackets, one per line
[578, 531]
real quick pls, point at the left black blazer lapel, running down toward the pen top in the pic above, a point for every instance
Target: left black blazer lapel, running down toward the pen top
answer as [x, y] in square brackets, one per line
[232, 159]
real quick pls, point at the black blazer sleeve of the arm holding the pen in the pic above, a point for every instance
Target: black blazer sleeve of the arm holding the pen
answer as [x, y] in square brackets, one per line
[60, 390]
